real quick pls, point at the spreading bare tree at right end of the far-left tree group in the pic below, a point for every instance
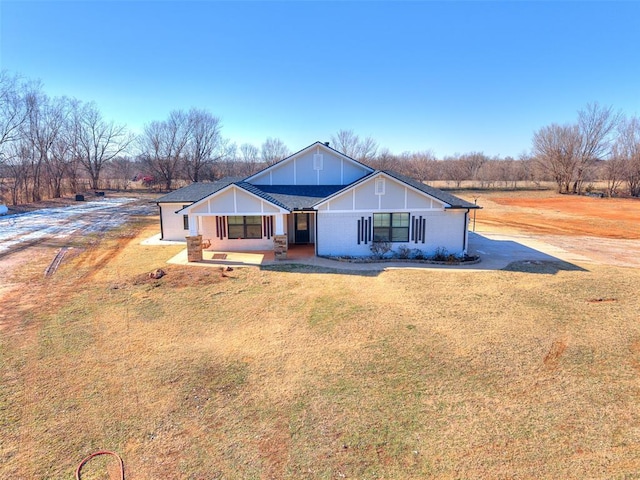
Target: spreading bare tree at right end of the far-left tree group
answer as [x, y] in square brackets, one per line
[97, 141]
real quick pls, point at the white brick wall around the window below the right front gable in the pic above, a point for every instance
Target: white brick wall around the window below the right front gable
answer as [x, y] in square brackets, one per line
[338, 233]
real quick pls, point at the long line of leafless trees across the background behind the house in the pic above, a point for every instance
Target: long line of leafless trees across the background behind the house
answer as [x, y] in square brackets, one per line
[54, 146]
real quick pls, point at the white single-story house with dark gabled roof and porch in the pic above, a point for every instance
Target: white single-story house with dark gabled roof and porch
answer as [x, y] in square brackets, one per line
[322, 197]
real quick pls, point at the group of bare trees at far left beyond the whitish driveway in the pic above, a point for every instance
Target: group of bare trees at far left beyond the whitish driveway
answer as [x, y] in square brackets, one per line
[48, 144]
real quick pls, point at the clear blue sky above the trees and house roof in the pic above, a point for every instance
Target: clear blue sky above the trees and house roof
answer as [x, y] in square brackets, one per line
[445, 76]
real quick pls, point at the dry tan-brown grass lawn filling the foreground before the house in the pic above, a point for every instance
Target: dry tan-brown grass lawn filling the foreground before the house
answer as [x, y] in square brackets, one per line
[299, 373]
